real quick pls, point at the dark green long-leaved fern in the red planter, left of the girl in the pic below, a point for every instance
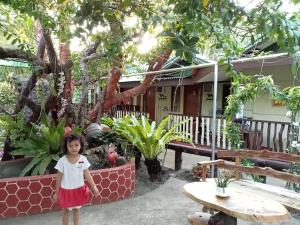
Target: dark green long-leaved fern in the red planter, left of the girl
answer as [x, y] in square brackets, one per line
[43, 145]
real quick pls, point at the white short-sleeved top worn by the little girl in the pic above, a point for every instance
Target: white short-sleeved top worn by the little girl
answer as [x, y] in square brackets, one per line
[72, 173]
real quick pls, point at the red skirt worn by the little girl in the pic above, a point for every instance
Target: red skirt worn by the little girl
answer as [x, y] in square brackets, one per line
[73, 197]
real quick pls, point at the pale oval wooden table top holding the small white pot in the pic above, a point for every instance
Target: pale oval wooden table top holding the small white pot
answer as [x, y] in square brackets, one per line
[239, 204]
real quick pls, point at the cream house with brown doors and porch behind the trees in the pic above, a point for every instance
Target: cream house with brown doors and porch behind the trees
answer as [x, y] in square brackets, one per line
[188, 95]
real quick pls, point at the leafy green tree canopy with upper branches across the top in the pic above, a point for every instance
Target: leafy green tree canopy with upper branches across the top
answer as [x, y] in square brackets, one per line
[112, 31]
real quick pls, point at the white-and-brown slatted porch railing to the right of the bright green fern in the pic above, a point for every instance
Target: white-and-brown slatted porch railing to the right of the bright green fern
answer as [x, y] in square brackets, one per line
[256, 134]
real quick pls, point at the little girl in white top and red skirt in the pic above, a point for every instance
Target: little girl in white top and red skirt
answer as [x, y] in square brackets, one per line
[72, 168]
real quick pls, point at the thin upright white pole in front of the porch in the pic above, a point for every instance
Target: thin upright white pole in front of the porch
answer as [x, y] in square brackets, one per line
[213, 142]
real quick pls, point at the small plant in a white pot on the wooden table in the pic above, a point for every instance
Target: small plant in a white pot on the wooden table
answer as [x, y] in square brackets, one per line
[222, 181]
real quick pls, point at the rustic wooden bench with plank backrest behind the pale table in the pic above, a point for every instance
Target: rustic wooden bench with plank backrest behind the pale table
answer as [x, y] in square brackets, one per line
[288, 198]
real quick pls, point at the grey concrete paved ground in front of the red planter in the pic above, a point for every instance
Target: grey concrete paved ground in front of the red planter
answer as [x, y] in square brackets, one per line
[165, 205]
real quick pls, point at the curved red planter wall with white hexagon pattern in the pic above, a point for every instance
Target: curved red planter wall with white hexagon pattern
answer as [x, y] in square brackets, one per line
[32, 195]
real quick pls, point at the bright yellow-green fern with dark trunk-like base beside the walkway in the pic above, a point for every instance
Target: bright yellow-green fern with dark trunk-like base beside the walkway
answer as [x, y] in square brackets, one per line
[148, 138]
